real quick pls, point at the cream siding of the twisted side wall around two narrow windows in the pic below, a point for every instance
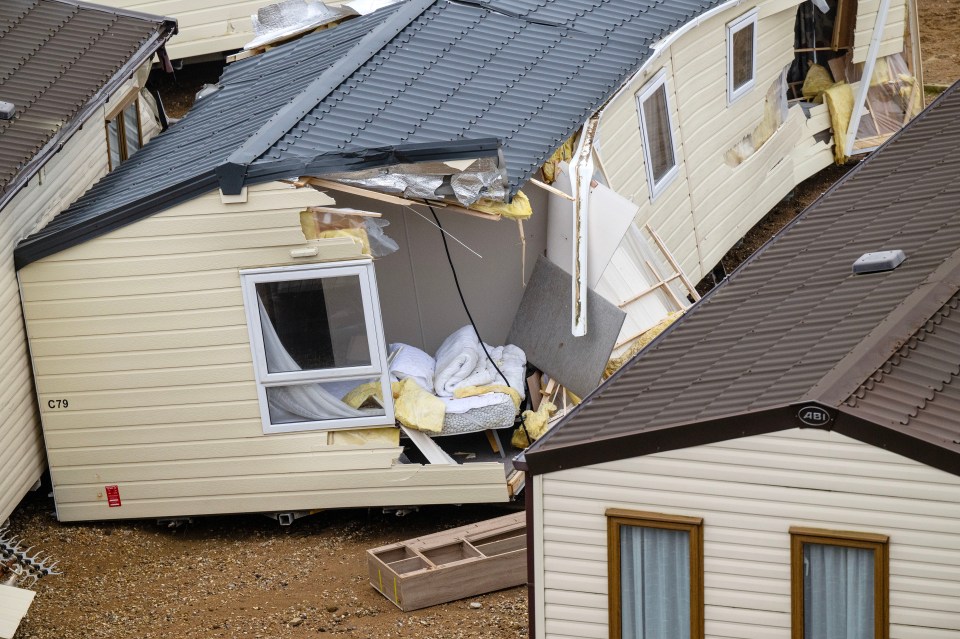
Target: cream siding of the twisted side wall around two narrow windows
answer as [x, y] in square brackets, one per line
[711, 205]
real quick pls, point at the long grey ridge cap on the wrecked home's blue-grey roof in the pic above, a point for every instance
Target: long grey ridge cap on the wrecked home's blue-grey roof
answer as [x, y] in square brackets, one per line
[232, 172]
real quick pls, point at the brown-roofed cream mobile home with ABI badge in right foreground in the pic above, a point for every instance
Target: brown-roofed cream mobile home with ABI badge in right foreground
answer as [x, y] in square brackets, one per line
[805, 481]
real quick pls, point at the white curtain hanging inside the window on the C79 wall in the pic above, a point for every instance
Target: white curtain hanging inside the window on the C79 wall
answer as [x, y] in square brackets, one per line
[302, 402]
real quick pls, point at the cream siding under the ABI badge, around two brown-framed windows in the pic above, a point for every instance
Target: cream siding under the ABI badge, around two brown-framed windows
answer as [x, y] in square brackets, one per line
[749, 492]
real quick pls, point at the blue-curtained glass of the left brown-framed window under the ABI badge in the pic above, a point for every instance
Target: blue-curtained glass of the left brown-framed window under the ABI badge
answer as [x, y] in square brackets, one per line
[655, 583]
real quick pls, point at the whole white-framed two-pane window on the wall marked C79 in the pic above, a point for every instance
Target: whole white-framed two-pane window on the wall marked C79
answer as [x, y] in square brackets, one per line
[318, 347]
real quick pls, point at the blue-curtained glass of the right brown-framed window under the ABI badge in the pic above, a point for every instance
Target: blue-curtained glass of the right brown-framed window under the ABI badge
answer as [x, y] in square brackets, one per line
[837, 592]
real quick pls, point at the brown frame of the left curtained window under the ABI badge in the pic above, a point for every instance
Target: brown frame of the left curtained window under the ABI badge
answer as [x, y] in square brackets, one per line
[693, 526]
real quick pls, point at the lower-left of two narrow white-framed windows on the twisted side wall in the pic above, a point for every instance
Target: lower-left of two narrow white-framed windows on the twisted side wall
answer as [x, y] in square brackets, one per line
[656, 127]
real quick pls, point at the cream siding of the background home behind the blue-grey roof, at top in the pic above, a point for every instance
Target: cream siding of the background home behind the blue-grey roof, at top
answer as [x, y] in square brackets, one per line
[205, 26]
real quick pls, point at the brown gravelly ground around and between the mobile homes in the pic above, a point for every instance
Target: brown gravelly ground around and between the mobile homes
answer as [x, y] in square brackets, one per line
[245, 576]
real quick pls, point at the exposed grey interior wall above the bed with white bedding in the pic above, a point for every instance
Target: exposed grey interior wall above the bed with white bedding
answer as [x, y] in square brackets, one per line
[419, 299]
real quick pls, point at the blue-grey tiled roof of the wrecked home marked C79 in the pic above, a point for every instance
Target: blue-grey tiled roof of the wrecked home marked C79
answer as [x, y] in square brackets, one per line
[426, 74]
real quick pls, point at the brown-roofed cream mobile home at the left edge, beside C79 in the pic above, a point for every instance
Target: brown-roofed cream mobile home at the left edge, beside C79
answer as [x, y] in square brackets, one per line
[73, 103]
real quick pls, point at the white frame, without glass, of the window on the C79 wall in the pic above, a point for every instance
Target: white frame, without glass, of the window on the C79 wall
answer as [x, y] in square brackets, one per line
[363, 269]
